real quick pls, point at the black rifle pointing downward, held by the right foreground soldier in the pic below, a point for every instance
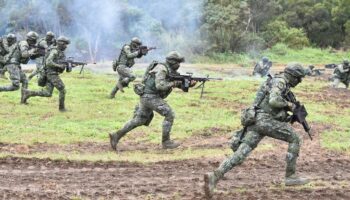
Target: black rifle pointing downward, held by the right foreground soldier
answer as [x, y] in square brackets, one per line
[299, 113]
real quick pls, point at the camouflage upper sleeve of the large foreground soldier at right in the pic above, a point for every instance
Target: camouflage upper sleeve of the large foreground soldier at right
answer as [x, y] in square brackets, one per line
[276, 100]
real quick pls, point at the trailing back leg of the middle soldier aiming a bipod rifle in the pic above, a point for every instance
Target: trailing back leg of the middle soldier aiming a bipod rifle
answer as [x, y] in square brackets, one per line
[142, 116]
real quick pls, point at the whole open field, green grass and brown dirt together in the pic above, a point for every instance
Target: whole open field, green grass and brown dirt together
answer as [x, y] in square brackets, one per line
[45, 154]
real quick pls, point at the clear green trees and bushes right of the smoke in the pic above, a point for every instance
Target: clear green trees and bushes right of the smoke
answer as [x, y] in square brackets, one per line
[250, 25]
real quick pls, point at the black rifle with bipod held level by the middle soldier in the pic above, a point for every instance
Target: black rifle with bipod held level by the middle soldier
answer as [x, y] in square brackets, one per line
[186, 81]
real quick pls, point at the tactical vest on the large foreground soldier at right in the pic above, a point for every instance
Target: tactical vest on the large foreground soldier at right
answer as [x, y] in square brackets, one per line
[263, 96]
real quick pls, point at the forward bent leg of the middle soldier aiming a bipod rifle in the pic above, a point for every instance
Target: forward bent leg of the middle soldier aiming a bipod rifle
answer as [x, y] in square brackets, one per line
[161, 106]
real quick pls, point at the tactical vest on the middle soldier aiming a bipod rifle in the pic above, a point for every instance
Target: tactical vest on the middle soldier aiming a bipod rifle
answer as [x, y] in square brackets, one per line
[150, 81]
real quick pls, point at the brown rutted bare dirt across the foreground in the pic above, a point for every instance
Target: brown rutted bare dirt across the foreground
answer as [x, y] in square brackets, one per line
[260, 177]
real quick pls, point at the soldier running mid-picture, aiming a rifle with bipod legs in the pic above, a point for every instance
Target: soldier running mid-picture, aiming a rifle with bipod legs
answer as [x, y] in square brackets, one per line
[157, 87]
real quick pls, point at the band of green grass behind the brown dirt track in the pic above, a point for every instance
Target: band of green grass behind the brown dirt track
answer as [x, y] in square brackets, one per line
[92, 115]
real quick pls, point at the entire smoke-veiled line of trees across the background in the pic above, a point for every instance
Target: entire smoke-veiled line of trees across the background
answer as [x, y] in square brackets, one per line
[99, 28]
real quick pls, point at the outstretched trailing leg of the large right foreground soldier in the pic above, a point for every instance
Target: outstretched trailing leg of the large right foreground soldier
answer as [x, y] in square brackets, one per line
[249, 142]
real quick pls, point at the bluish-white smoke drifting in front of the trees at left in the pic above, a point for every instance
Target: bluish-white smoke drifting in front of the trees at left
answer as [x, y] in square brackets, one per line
[98, 29]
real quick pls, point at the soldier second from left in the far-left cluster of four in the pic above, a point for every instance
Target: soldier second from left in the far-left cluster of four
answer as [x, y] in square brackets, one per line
[19, 53]
